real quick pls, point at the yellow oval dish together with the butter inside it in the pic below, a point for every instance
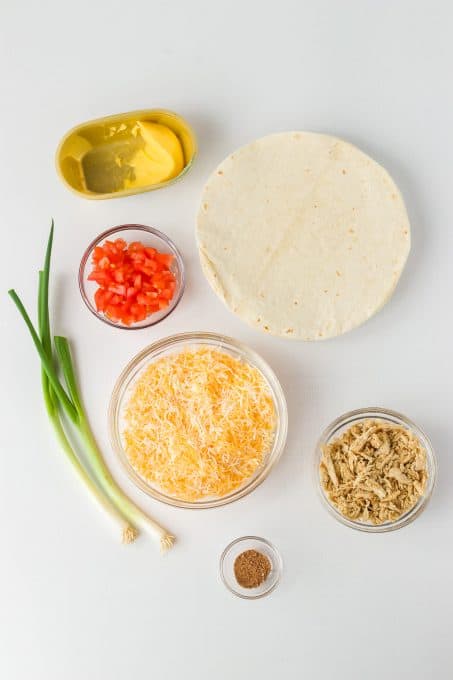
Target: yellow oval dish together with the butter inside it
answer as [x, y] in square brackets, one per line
[126, 154]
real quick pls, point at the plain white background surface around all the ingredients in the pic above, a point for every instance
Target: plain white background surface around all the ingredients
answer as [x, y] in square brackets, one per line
[74, 603]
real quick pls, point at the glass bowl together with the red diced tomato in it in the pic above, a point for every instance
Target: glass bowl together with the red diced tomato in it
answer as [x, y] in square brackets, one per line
[131, 276]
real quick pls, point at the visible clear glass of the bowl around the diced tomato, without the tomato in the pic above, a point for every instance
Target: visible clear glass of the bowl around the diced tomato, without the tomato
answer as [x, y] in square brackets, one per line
[152, 238]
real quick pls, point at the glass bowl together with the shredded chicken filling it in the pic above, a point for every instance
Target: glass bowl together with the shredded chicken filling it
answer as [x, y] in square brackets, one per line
[375, 469]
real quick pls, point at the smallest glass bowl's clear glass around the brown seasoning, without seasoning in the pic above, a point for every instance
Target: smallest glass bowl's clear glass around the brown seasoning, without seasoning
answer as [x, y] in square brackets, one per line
[237, 547]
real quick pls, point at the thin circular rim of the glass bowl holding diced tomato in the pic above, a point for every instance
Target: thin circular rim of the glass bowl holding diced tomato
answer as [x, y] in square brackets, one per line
[132, 227]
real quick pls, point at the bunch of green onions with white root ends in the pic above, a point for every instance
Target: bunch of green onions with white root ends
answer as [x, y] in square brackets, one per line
[64, 404]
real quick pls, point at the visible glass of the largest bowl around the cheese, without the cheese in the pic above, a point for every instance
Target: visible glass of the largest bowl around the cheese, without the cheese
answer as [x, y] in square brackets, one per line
[175, 344]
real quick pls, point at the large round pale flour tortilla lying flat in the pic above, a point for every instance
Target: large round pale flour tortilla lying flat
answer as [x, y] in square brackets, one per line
[302, 235]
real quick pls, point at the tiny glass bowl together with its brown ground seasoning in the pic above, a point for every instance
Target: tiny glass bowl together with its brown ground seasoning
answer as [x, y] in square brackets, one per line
[250, 567]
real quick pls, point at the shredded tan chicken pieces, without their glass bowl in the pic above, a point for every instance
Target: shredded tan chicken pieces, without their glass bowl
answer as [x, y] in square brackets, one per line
[374, 472]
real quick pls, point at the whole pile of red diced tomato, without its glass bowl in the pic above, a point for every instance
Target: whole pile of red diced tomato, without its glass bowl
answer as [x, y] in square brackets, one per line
[134, 280]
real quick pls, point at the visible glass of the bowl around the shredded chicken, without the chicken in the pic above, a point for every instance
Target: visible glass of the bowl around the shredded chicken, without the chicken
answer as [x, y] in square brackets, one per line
[345, 421]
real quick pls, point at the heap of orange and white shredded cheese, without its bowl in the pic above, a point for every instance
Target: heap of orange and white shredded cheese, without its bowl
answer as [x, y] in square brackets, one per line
[198, 423]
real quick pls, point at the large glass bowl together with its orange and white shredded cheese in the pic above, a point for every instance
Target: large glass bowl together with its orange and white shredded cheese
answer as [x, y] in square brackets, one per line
[198, 420]
